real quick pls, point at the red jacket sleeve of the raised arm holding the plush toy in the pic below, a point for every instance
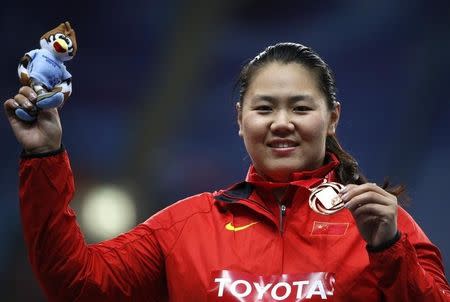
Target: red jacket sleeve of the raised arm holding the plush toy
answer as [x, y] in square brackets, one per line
[69, 270]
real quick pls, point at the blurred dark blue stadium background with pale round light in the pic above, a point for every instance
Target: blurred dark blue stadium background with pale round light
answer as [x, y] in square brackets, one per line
[152, 120]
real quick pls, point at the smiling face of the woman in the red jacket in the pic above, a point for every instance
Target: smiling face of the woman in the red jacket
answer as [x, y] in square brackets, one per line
[284, 120]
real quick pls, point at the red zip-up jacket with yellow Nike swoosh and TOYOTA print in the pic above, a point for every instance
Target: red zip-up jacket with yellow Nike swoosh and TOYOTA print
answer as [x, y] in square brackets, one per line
[231, 245]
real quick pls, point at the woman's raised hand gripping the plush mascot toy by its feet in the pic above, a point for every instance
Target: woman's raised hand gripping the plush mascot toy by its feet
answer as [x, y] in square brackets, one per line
[42, 135]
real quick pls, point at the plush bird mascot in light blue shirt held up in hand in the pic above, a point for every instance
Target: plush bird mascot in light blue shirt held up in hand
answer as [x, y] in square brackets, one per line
[44, 70]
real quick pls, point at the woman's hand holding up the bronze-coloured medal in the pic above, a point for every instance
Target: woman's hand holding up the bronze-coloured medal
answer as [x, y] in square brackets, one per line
[374, 210]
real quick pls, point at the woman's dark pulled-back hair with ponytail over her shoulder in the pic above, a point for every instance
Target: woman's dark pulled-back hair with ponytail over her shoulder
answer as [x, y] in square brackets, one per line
[348, 172]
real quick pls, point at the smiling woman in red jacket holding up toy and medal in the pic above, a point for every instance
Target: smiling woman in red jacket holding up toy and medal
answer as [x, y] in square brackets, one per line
[258, 240]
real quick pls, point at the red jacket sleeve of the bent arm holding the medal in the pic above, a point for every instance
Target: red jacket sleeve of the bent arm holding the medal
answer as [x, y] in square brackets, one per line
[411, 269]
